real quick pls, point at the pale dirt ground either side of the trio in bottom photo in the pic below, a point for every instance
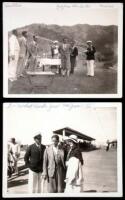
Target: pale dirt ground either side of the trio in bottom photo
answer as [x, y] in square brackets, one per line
[100, 173]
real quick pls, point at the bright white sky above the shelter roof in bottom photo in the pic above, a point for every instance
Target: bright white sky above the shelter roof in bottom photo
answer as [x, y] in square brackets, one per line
[24, 121]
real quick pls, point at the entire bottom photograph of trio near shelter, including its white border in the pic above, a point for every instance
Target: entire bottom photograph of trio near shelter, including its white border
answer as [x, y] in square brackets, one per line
[62, 149]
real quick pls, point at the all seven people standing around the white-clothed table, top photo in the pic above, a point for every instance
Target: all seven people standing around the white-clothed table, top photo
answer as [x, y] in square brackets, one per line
[23, 54]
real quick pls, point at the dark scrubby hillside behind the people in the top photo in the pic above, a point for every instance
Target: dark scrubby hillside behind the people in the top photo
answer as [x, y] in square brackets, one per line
[105, 38]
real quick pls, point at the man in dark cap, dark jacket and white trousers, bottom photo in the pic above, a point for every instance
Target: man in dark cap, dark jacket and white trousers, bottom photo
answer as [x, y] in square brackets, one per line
[34, 161]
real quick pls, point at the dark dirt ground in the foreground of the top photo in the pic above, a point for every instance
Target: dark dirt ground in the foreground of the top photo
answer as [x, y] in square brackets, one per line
[104, 82]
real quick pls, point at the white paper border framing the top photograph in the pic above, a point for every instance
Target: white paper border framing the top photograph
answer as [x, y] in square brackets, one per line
[119, 6]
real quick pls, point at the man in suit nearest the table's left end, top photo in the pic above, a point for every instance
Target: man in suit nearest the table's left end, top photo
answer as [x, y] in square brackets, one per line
[33, 53]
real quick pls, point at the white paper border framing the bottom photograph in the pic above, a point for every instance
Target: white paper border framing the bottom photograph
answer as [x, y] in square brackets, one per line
[119, 192]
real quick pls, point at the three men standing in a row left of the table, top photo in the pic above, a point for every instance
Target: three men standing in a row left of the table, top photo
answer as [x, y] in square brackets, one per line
[21, 53]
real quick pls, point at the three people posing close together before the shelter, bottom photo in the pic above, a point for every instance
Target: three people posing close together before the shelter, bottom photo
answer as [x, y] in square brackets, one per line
[49, 164]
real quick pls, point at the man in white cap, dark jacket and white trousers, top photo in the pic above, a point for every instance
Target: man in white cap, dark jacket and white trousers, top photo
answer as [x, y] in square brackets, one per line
[90, 57]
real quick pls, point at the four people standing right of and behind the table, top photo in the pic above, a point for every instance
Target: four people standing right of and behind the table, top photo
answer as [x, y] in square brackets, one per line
[68, 54]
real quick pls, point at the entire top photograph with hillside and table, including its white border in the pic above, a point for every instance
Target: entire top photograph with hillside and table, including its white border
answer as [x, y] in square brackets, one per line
[62, 49]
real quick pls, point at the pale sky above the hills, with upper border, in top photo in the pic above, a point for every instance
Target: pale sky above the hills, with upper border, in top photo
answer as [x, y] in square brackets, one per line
[16, 15]
